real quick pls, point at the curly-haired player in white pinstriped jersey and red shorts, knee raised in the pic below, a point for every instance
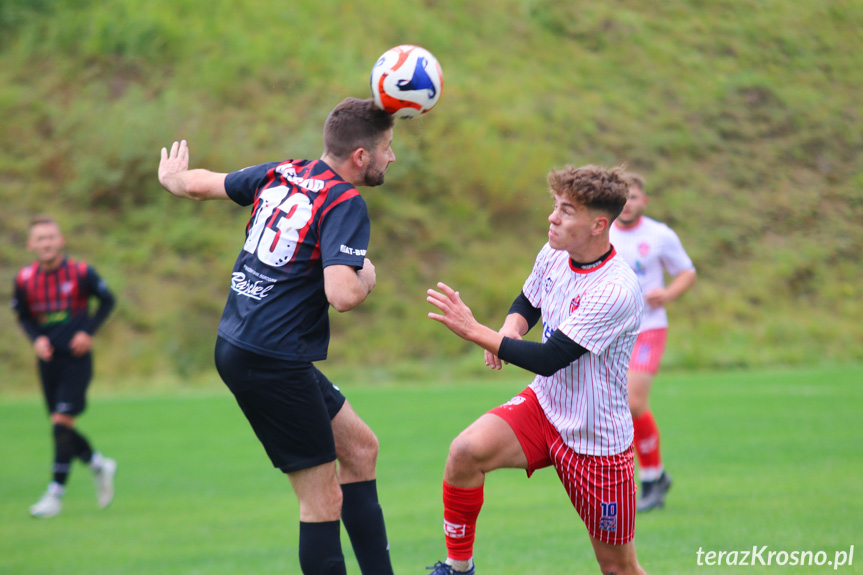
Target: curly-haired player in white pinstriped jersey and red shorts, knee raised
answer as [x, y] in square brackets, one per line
[575, 415]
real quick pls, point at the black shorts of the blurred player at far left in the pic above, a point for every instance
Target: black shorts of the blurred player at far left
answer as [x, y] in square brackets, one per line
[65, 380]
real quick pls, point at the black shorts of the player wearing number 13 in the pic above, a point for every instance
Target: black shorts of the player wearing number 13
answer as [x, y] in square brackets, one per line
[289, 404]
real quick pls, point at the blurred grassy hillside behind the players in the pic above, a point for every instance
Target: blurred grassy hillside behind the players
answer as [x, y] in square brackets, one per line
[744, 116]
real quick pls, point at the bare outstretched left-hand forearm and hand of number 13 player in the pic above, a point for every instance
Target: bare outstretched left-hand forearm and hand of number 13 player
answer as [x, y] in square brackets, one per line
[176, 177]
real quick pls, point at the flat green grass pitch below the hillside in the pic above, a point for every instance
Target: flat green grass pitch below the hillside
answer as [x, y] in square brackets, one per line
[758, 458]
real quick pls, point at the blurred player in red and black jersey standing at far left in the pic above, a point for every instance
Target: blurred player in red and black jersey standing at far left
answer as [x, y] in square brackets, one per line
[51, 299]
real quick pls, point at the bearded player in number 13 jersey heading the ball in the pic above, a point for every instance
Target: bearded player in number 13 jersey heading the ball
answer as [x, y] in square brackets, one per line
[305, 250]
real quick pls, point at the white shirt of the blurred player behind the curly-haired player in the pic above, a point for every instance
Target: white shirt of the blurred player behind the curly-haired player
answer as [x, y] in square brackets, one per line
[651, 248]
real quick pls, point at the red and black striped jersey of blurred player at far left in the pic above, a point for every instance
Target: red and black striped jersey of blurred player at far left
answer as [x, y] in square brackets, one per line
[55, 302]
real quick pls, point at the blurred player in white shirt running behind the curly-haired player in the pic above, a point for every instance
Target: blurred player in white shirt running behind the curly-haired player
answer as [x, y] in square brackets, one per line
[652, 249]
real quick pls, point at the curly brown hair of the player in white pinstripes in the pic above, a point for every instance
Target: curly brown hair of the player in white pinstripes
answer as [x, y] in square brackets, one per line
[595, 187]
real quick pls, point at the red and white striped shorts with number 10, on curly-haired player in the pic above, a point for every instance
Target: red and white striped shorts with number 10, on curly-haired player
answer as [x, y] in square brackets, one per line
[601, 488]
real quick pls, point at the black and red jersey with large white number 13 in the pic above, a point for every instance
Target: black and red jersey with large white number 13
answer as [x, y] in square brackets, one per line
[304, 217]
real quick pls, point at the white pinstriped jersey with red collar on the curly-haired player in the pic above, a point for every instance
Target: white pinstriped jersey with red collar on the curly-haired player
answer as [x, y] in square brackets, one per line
[600, 309]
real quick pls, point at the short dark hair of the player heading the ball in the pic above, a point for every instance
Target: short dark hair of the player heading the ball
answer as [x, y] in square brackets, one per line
[353, 124]
